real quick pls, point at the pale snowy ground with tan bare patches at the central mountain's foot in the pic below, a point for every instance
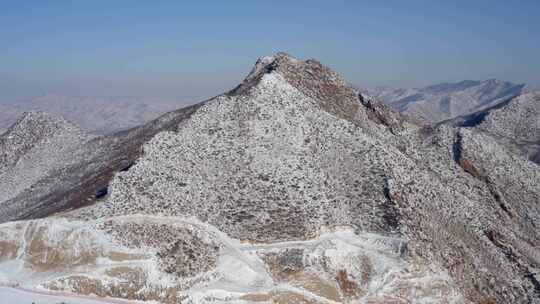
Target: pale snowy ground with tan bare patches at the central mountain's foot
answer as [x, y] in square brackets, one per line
[71, 255]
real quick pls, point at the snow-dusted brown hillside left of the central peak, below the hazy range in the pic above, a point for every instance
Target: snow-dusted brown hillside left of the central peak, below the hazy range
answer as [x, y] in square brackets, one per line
[54, 166]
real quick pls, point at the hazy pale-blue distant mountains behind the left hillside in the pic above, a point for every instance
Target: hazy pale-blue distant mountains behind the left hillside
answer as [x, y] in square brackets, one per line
[99, 115]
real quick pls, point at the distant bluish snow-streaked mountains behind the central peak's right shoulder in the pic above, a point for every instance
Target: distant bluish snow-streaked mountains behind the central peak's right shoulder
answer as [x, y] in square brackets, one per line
[448, 100]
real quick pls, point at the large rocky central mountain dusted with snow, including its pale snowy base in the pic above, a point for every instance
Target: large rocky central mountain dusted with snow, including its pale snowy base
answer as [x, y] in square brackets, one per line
[294, 187]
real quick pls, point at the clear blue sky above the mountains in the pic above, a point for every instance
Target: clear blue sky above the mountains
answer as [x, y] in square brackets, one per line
[196, 49]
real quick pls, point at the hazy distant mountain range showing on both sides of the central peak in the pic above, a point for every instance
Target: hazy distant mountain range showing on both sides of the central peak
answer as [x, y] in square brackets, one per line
[104, 115]
